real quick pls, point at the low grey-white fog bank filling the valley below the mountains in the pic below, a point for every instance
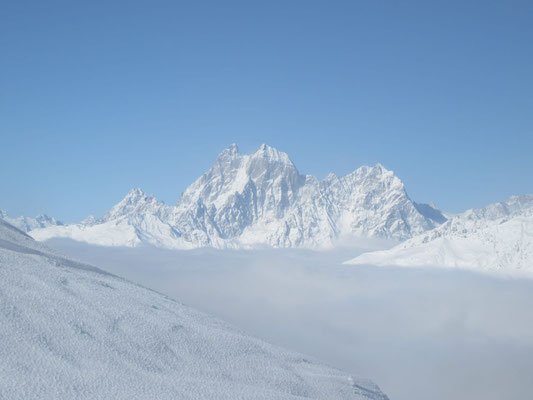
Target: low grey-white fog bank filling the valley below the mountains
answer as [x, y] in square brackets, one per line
[418, 333]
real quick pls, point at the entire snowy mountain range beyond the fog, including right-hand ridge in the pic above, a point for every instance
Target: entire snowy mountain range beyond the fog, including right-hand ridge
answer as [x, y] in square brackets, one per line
[262, 200]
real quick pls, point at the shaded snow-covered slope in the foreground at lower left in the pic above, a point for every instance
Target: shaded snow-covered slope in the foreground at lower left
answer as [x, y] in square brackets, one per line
[69, 330]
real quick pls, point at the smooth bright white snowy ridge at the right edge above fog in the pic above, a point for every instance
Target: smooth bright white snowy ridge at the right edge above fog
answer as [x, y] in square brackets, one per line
[496, 238]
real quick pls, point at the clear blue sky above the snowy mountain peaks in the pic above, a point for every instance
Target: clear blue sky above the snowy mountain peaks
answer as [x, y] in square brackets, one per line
[99, 97]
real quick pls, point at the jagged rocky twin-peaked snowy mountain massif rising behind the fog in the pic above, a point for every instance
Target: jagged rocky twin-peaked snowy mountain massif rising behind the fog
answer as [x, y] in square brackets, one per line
[247, 201]
